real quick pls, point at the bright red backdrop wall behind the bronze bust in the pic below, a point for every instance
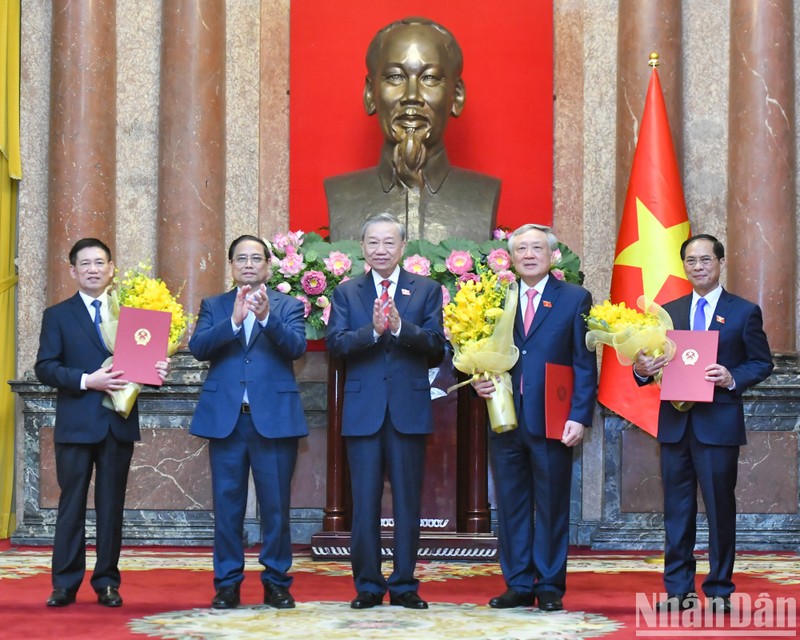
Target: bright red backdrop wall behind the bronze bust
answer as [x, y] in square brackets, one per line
[505, 130]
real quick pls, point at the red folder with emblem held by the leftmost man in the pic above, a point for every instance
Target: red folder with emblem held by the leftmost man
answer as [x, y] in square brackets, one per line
[142, 340]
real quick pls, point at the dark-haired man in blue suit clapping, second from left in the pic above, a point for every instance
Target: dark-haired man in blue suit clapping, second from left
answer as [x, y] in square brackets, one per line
[251, 413]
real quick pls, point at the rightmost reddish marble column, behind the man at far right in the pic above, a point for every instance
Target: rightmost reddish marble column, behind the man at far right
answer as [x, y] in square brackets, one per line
[762, 239]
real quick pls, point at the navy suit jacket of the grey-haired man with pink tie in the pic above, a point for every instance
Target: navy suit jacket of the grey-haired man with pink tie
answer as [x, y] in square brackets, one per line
[557, 335]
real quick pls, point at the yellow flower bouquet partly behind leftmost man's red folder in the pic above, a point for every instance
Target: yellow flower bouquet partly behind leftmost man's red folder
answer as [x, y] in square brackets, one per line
[140, 290]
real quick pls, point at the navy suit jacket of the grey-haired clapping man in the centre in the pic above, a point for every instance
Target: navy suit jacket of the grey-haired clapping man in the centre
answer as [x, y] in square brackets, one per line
[392, 372]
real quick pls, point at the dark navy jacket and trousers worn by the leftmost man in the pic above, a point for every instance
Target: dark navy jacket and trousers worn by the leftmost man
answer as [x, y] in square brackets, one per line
[87, 436]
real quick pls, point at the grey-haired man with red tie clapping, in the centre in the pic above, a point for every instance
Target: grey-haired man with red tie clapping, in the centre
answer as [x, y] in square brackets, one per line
[387, 326]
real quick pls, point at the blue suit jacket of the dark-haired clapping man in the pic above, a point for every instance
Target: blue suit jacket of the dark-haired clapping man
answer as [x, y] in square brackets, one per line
[264, 366]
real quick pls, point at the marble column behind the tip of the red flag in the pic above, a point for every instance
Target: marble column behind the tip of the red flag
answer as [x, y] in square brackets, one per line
[645, 27]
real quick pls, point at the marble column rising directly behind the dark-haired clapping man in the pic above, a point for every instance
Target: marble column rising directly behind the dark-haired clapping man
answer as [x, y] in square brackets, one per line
[191, 173]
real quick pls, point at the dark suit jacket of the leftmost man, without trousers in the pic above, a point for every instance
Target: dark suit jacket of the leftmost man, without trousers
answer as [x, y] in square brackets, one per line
[69, 347]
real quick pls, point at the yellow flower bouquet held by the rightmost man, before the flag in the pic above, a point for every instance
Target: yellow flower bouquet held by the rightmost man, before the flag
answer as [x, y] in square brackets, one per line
[629, 331]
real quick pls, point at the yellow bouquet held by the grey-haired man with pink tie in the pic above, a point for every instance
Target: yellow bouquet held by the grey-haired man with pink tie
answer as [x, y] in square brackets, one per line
[480, 324]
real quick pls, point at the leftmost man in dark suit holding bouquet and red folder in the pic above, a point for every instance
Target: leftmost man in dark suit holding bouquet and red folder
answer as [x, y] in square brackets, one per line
[88, 436]
